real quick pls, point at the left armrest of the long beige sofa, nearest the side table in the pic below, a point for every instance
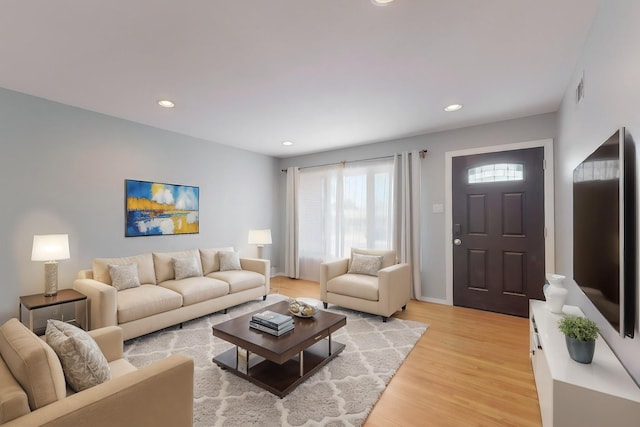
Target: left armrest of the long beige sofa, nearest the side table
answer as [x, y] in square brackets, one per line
[102, 302]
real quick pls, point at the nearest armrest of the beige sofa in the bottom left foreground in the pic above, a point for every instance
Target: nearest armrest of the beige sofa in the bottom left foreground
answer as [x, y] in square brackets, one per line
[160, 394]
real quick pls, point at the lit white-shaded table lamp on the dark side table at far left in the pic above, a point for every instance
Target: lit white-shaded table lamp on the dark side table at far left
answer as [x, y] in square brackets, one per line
[50, 248]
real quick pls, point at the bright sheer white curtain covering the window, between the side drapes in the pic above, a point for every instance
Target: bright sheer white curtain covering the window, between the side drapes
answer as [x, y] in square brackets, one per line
[344, 206]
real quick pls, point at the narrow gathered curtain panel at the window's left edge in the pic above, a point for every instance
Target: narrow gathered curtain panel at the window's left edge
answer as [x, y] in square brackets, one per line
[291, 264]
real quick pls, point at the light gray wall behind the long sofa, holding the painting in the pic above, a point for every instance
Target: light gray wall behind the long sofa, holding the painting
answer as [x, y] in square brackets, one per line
[63, 171]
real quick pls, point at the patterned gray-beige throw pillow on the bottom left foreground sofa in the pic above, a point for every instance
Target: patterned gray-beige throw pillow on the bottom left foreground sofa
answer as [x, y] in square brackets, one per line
[83, 363]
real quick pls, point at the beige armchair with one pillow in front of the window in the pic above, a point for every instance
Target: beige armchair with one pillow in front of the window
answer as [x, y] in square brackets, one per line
[353, 283]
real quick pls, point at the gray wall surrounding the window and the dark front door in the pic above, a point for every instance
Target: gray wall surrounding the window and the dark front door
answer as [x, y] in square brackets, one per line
[433, 181]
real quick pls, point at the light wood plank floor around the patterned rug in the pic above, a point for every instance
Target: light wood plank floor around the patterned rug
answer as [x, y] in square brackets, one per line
[471, 368]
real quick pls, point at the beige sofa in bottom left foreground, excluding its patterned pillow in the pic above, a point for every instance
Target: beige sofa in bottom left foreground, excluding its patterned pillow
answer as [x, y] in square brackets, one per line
[33, 391]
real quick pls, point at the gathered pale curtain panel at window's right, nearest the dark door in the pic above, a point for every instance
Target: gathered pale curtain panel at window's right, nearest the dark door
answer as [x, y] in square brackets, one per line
[407, 167]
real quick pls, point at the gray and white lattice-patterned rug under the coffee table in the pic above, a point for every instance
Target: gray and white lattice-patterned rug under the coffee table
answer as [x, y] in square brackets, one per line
[342, 393]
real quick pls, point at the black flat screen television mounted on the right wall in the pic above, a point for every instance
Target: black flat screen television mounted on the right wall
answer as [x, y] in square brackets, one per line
[604, 230]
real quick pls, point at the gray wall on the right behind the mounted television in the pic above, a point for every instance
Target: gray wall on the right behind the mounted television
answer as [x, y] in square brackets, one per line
[611, 66]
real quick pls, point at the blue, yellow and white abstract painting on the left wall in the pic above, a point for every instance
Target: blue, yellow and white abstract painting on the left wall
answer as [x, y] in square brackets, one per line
[155, 209]
